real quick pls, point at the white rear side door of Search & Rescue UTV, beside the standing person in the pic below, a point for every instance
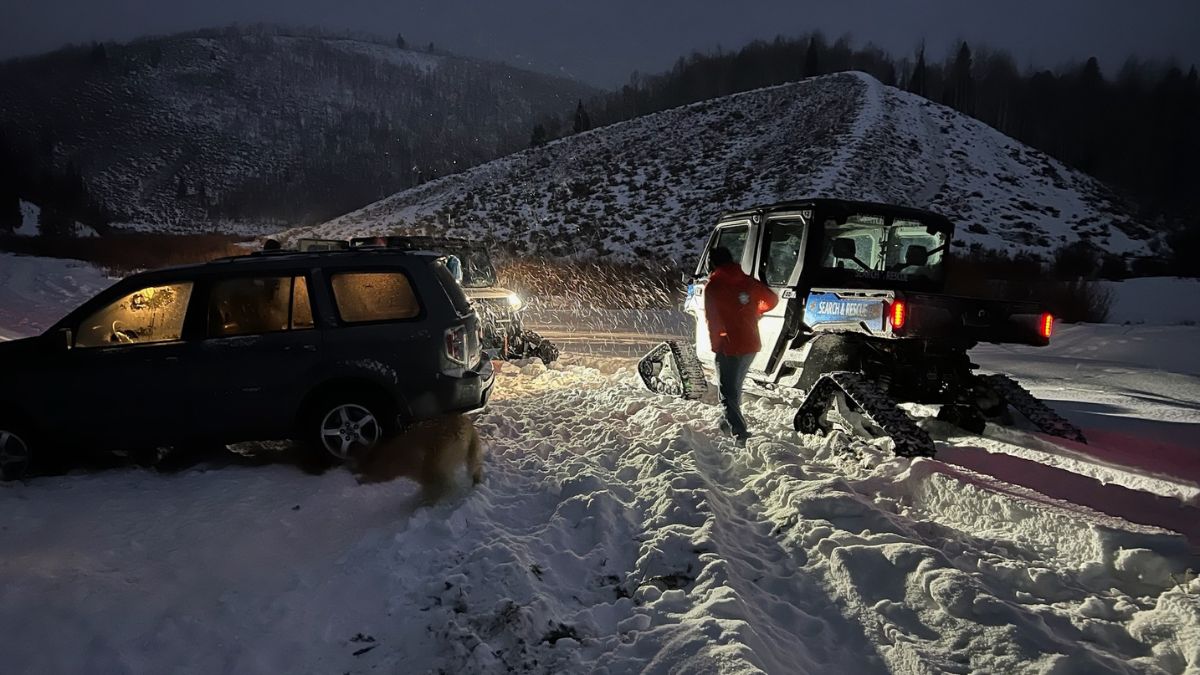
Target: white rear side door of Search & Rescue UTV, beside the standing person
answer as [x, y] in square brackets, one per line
[779, 262]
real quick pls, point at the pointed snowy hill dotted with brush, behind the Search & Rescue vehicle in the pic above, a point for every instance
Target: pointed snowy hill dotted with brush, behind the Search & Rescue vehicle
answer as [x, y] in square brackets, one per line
[652, 188]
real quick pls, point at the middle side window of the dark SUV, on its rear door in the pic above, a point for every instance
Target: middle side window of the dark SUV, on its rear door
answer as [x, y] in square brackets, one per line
[259, 304]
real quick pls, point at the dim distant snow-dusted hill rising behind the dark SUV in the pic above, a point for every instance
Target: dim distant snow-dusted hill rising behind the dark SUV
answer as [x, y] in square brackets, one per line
[251, 126]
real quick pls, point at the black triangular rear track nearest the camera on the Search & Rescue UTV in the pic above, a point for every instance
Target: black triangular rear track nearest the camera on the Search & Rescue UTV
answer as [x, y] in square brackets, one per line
[873, 402]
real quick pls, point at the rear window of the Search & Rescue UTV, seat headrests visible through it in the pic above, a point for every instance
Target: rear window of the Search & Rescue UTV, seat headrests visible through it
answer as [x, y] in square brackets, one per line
[871, 247]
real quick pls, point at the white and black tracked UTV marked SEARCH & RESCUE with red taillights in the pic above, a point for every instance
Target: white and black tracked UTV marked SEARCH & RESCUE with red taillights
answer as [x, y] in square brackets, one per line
[862, 325]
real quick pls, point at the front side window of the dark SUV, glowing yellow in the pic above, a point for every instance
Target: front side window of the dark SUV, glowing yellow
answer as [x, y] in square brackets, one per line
[154, 314]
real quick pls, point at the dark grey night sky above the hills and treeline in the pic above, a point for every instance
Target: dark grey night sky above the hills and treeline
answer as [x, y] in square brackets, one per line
[603, 41]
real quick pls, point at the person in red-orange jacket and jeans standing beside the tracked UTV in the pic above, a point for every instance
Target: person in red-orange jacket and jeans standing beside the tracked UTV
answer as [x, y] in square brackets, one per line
[734, 303]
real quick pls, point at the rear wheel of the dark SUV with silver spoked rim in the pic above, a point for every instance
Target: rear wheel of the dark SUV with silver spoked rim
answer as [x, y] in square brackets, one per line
[343, 426]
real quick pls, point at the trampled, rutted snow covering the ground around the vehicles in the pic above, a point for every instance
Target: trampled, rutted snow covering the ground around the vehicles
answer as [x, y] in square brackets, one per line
[617, 533]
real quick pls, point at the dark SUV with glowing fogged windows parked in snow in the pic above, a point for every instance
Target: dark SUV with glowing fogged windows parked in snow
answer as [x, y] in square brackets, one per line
[334, 349]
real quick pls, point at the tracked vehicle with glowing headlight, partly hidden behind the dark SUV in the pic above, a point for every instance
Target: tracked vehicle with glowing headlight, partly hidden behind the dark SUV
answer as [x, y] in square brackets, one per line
[501, 310]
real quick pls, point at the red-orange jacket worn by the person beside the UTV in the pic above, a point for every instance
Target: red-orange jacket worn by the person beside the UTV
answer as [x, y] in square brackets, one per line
[734, 302]
